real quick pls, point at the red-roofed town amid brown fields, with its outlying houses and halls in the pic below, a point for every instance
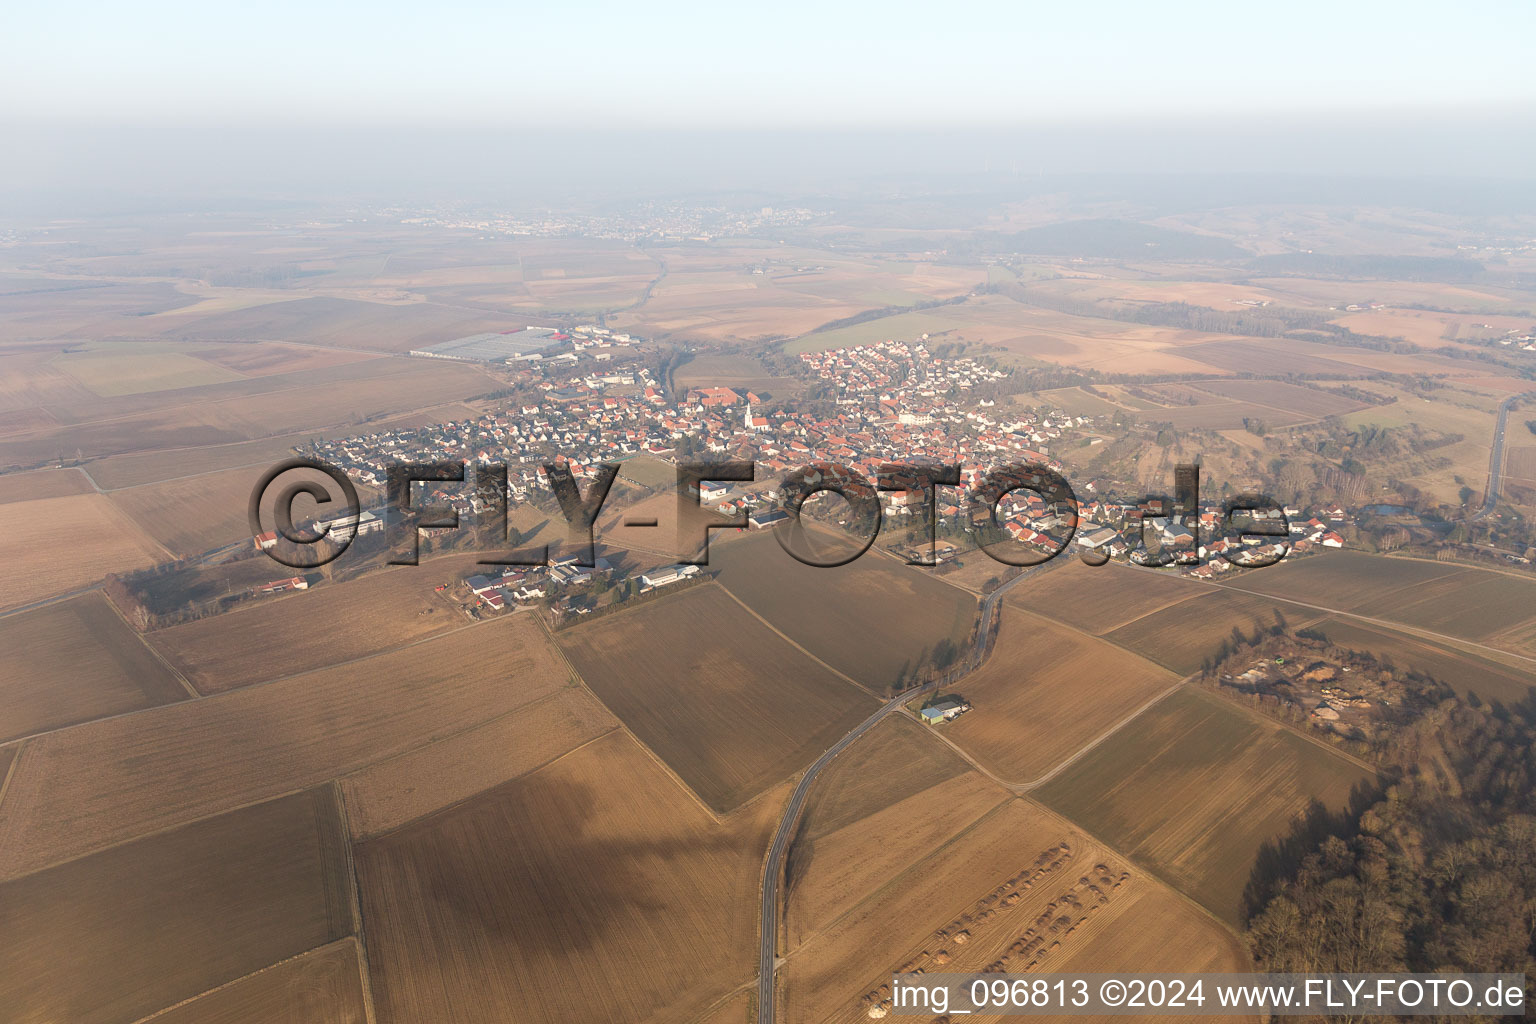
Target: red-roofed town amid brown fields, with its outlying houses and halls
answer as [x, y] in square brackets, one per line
[589, 397]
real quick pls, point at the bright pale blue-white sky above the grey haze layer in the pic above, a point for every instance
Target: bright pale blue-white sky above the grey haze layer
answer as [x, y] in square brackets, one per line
[790, 64]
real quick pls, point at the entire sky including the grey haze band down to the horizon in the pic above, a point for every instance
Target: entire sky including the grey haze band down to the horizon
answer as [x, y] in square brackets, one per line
[113, 105]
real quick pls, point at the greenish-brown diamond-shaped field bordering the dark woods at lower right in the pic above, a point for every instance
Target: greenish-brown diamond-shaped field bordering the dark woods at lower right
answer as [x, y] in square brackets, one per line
[1196, 788]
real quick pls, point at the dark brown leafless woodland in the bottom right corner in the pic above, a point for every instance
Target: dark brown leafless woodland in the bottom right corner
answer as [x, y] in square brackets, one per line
[1434, 873]
